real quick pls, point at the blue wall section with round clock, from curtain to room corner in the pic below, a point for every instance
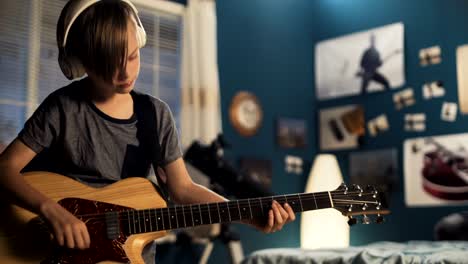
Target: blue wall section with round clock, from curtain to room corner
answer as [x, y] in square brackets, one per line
[266, 47]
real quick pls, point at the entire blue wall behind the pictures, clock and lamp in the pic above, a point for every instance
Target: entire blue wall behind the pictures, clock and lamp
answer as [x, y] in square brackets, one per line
[266, 47]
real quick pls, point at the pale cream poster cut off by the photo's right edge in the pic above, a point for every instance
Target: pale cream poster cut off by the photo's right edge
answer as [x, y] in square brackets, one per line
[462, 78]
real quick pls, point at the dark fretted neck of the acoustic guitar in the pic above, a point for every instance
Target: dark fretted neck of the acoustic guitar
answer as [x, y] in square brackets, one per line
[150, 220]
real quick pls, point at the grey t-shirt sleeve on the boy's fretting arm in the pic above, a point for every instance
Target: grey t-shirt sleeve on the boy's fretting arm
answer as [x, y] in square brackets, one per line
[168, 136]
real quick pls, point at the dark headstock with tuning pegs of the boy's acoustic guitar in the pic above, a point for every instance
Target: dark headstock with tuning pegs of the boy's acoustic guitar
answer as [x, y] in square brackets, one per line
[356, 201]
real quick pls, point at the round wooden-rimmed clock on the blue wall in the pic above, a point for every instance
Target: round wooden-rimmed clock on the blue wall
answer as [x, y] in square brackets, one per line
[245, 113]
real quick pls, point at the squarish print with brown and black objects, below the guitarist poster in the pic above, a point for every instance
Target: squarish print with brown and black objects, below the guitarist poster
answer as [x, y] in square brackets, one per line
[341, 127]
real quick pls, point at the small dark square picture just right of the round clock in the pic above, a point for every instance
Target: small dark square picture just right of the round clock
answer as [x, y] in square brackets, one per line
[291, 133]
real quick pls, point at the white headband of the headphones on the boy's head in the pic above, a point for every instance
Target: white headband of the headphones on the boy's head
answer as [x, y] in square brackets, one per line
[77, 7]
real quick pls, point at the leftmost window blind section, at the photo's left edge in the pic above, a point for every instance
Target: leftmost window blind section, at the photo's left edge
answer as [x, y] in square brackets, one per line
[14, 32]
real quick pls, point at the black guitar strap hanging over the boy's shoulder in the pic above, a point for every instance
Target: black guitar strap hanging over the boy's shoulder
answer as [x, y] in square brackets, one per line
[148, 136]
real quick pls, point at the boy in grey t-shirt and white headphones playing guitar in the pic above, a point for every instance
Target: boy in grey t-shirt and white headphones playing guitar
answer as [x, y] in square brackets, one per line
[91, 129]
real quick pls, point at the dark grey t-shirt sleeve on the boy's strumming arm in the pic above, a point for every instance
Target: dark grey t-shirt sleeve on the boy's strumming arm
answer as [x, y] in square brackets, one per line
[42, 128]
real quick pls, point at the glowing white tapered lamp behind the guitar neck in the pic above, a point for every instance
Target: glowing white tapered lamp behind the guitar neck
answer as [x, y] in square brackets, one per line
[324, 228]
